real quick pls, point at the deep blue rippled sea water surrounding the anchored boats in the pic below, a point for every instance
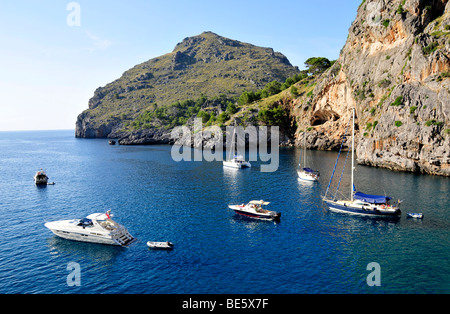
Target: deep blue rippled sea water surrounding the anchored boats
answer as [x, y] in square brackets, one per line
[311, 250]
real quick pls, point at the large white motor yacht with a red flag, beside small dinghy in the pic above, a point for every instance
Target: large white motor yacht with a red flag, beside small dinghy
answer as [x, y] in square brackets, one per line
[95, 228]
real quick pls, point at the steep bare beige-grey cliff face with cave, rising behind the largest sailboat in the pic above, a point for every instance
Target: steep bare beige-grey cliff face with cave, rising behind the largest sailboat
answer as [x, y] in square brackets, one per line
[394, 69]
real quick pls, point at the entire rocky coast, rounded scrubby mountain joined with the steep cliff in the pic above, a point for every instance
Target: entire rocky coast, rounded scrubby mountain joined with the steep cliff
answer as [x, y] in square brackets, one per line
[394, 70]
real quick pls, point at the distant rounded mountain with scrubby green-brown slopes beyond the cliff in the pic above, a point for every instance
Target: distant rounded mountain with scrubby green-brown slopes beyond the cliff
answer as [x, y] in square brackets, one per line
[205, 65]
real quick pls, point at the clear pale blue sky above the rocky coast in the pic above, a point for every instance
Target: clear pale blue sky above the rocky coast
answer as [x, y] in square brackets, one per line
[55, 53]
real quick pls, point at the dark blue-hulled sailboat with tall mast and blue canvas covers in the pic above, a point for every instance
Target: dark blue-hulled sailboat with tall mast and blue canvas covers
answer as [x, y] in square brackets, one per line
[360, 203]
